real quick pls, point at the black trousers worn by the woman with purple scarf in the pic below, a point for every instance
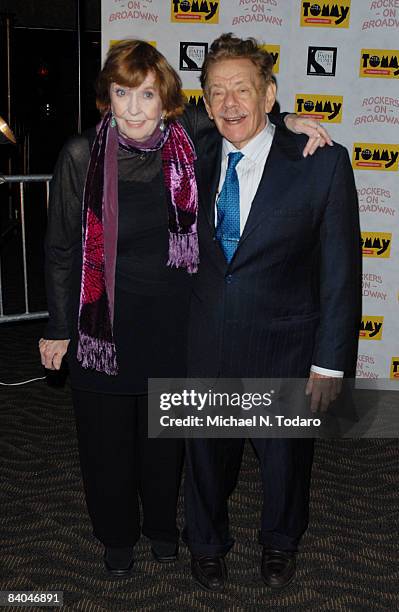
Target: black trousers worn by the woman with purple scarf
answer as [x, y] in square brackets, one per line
[120, 464]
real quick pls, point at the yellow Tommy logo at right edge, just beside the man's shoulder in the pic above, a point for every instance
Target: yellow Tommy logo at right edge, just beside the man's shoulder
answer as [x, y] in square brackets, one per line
[371, 156]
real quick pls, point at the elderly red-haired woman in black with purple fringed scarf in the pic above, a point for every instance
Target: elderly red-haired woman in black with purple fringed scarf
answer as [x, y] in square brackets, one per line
[120, 249]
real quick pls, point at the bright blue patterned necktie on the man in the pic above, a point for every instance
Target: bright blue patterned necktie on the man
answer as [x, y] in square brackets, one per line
[228, 209]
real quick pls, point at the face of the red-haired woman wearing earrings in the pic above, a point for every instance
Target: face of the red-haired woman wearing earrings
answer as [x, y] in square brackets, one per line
[137, 110]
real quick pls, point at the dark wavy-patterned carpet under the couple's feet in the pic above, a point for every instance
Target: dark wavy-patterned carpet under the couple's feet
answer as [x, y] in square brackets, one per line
[348, 559]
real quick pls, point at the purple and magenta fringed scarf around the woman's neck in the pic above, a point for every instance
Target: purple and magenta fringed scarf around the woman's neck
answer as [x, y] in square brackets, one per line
[96, 347]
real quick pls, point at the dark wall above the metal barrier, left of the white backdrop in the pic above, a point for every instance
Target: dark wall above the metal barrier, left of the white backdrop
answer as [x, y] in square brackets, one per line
[44, 77]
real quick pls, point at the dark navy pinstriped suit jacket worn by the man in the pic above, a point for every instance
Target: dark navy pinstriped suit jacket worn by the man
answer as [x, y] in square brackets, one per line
[291, 295]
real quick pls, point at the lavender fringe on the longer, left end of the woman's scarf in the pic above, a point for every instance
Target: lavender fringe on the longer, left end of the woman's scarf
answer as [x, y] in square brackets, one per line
[97, 354]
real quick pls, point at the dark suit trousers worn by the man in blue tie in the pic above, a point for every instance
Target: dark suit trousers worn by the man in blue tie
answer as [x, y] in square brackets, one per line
[212, 467]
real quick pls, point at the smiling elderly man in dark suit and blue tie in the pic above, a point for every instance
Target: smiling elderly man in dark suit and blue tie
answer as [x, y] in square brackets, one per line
[277, 295]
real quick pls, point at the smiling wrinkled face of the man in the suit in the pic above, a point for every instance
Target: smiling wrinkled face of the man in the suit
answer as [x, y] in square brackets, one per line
[237, 101]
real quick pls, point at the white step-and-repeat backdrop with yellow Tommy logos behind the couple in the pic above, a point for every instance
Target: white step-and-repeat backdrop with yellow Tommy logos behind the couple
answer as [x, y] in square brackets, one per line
[337, 61]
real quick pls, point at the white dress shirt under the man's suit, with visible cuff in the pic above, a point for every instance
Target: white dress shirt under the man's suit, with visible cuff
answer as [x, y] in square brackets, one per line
[250, 170]
